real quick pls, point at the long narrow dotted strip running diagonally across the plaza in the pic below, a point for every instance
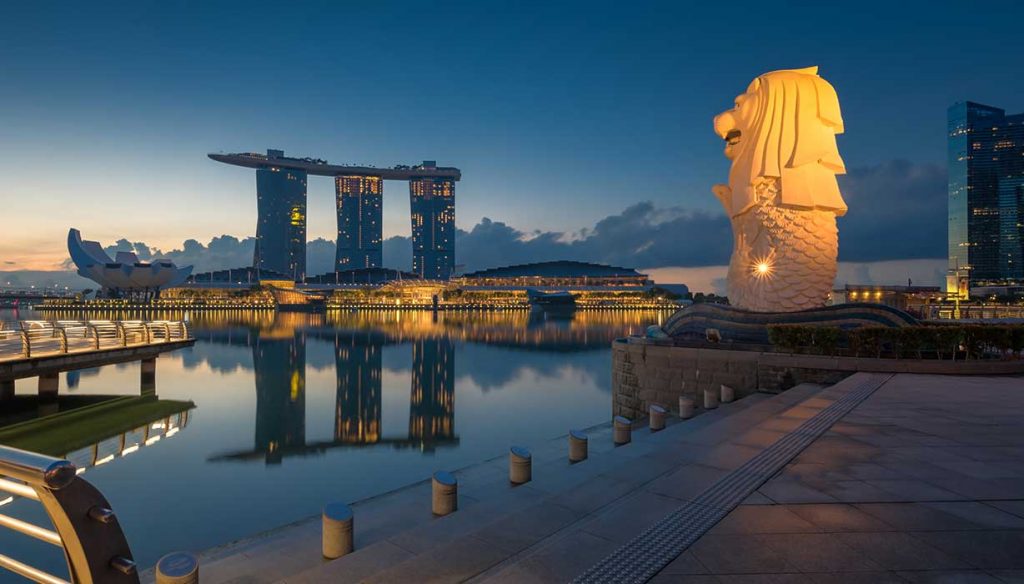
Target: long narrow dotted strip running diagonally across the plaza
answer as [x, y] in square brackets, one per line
[648, 554]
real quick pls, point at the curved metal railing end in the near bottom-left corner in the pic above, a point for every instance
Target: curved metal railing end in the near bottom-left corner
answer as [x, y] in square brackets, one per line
[83, 525]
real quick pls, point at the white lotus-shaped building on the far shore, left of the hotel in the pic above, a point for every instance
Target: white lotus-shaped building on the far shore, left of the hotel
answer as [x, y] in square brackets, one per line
[125, 275]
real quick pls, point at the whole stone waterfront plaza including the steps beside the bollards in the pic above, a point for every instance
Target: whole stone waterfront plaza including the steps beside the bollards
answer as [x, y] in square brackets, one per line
[921, 480]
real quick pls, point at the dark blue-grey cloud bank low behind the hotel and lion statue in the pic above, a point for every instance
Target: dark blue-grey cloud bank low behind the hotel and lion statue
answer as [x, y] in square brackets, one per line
[898, 213]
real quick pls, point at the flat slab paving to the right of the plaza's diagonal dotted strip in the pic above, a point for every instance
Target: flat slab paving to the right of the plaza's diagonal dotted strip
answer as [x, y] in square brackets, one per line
[907, 488]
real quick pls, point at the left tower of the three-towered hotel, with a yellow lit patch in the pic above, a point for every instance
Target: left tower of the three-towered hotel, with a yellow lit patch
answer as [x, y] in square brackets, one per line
[281, 223]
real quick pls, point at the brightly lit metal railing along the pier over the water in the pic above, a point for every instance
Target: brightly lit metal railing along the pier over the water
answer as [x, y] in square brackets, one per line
[27, 340]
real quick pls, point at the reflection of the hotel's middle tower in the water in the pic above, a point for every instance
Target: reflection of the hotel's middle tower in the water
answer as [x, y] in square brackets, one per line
[358, 402]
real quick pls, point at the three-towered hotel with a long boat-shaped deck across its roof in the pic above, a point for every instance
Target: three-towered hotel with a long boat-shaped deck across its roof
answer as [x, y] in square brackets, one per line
[281, 204]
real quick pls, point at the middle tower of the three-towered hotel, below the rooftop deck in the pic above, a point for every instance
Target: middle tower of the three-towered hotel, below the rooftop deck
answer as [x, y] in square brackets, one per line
[360, 222]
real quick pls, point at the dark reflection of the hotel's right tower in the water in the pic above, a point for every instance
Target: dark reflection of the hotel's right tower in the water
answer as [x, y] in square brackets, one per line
[432, 412]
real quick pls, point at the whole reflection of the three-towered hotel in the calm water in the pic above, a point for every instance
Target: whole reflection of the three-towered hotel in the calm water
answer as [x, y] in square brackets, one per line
[280, 360]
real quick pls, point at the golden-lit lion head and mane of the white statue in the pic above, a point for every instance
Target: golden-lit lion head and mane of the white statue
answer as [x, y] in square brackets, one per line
[785, 128]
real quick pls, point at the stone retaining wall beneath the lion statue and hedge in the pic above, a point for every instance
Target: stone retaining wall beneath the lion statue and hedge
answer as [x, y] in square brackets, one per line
[646, 372]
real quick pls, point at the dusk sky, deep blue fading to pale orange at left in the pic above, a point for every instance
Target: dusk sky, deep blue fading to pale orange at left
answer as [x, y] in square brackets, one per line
[564, 119]
